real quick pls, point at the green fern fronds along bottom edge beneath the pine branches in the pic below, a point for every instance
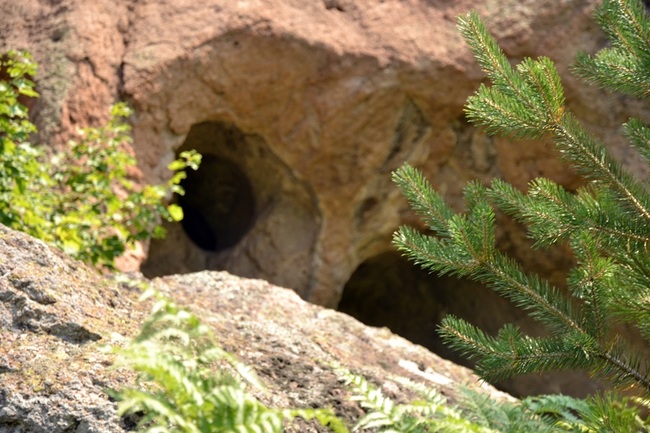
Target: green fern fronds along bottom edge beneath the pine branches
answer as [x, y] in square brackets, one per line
[478, 412]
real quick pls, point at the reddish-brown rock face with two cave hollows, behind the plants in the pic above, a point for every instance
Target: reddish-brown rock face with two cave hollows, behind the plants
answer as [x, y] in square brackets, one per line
[302, 110]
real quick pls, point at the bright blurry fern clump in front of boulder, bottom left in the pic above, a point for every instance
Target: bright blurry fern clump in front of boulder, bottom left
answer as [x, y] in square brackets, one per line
[188, 384]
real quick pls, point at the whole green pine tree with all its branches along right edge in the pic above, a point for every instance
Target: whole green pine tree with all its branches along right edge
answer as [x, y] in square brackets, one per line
[606, 223]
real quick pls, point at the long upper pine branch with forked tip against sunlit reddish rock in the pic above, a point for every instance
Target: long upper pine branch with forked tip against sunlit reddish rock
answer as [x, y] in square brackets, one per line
[529, 102]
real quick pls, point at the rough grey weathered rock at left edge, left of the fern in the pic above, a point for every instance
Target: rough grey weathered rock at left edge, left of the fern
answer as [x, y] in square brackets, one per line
[54, 313]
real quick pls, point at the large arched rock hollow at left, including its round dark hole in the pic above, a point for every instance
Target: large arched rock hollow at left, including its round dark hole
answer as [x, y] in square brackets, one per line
[246, 212]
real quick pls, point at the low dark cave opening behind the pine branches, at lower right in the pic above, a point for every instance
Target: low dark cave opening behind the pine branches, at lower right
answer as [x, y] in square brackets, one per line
[388, 290]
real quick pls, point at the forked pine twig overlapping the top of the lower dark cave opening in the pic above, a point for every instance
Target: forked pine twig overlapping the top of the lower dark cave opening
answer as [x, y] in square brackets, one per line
[467, 248]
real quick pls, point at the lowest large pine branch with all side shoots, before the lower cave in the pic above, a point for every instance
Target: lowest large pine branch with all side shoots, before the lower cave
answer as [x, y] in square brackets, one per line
[468, 250]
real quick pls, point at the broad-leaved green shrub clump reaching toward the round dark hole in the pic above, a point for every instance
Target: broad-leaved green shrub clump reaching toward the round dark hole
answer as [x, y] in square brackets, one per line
[97, 210]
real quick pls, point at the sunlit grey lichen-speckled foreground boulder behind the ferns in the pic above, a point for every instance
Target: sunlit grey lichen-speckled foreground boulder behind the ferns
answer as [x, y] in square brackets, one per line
[55, 314]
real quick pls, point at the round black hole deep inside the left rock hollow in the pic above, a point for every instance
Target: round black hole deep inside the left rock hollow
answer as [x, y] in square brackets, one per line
[218, 204]
